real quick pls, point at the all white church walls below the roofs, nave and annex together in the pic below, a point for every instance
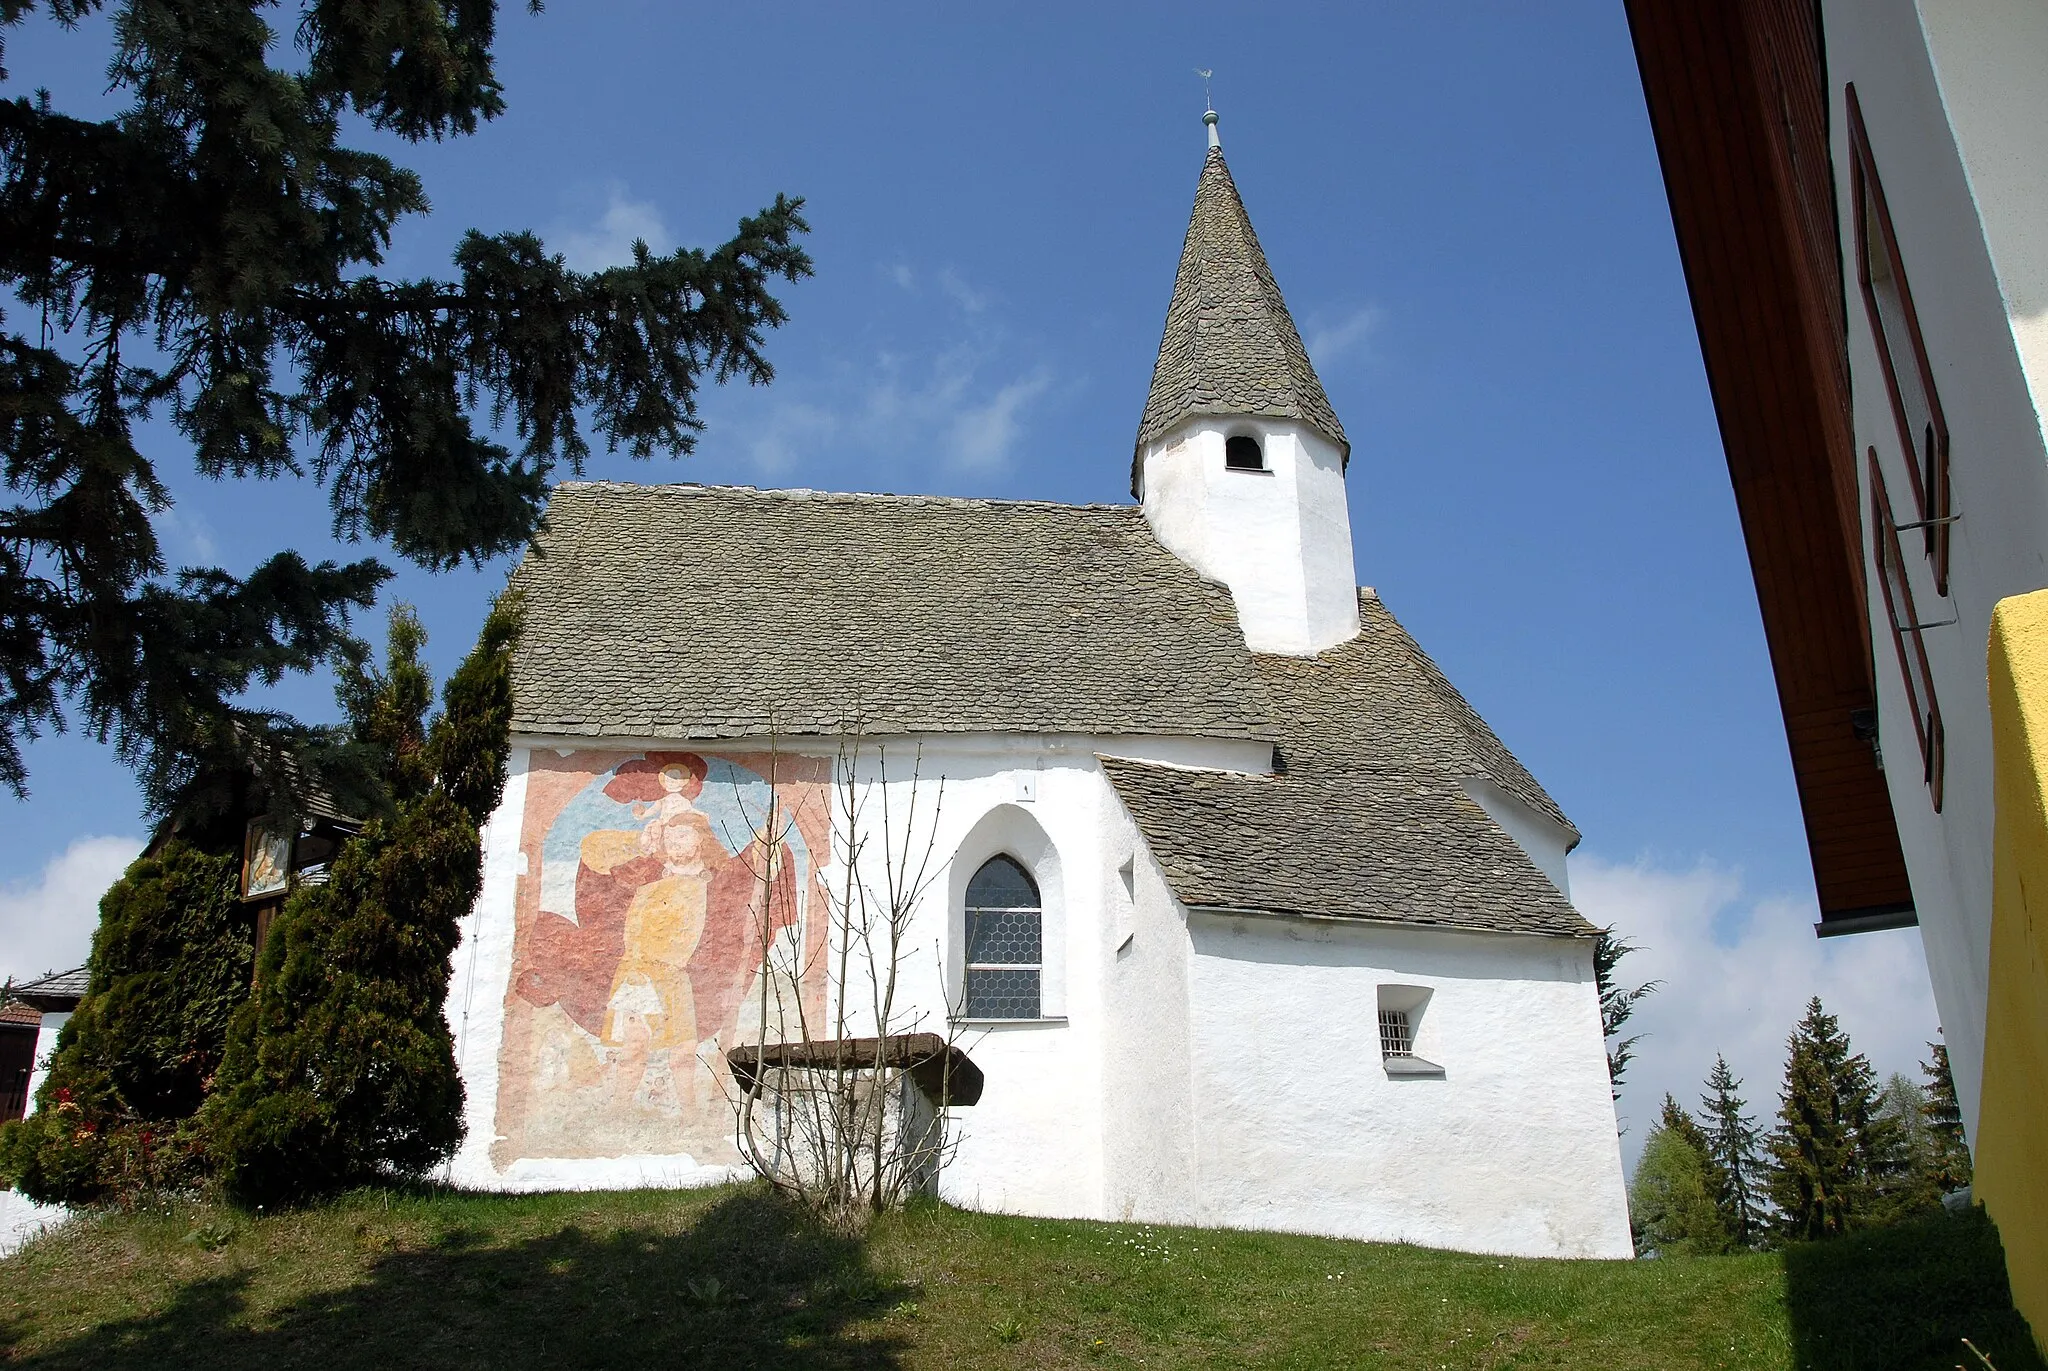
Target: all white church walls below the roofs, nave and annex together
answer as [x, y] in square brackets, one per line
[1215, 1075]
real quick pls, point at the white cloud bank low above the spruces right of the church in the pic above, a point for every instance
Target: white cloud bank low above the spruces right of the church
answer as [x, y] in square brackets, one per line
[1738, 970]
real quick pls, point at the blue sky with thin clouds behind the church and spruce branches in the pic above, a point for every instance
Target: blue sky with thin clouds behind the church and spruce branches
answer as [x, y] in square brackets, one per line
[1465, 212]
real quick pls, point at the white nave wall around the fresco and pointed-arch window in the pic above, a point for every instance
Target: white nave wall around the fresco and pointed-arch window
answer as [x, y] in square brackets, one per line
[1033, 1142]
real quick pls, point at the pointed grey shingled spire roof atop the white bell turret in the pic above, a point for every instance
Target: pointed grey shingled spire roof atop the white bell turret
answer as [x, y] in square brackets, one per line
[1230, 343]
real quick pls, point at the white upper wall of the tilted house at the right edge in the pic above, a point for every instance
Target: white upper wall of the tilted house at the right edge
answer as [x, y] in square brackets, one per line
[1955, 108]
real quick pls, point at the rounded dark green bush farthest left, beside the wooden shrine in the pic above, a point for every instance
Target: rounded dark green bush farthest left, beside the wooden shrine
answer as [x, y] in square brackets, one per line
[171, 966]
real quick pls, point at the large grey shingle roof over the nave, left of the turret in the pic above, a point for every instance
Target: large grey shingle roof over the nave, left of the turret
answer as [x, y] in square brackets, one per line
[716, 612]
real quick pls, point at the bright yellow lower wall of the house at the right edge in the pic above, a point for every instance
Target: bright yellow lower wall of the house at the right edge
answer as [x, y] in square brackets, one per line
[2012, 1134]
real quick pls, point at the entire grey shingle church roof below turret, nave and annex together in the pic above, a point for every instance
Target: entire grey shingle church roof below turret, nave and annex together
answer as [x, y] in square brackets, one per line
[706, 612]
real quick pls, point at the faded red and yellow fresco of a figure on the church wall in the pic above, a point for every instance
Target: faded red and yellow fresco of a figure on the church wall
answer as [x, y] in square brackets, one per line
[650, 890]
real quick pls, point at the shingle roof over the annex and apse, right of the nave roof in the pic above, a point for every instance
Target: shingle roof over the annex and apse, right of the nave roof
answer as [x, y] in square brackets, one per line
[1369, 817]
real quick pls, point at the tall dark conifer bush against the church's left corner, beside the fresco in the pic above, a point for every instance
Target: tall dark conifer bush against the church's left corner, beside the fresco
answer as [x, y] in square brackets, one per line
[343, 1069]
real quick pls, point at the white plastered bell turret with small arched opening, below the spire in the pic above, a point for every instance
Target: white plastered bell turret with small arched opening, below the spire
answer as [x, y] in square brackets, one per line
[1281, 538]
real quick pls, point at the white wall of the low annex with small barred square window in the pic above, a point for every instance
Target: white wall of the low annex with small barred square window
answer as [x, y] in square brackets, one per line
[1302, 1128]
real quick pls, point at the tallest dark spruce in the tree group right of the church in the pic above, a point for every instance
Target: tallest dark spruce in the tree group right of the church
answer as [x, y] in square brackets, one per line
[1824, 1134]
